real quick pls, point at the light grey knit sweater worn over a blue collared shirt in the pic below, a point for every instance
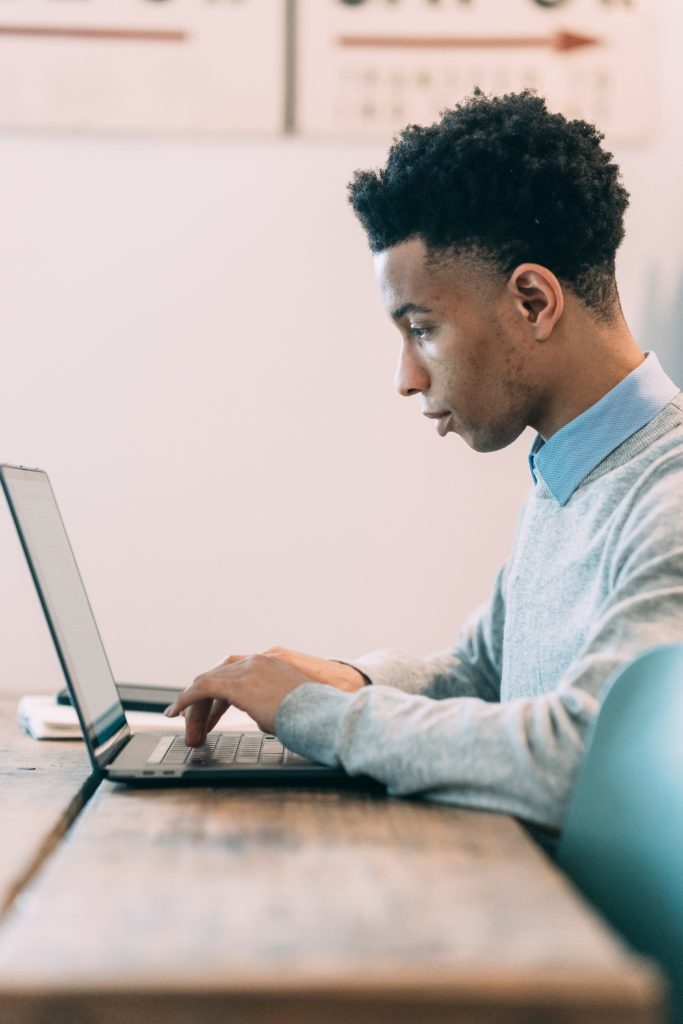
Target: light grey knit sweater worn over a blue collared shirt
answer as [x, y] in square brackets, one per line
[499, 720]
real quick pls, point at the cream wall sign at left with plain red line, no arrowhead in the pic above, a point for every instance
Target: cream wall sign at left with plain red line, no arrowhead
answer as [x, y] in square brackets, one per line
[192, 66]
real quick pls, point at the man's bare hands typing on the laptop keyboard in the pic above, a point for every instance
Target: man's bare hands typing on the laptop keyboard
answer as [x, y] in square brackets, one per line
[257, 685]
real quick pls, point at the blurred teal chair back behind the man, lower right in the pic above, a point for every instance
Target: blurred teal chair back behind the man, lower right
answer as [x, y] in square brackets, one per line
[623, 838]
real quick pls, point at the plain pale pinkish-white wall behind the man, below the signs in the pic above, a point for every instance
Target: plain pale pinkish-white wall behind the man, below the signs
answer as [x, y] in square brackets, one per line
[193, 348]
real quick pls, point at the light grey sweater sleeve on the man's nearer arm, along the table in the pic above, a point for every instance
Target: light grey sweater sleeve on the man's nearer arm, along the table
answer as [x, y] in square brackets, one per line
[519, 757]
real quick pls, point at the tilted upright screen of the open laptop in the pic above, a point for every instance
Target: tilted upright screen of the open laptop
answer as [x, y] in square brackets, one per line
[65, 604]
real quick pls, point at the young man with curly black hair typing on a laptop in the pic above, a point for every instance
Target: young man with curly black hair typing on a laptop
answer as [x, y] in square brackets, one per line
[495, 233]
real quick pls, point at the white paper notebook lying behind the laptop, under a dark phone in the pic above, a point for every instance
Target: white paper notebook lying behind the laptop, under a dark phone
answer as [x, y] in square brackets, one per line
[44, 718]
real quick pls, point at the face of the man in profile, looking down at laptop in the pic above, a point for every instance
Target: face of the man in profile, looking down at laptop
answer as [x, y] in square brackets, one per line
[464, 350]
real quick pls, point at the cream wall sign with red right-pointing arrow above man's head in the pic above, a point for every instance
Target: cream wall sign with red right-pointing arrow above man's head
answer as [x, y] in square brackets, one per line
[367, 68]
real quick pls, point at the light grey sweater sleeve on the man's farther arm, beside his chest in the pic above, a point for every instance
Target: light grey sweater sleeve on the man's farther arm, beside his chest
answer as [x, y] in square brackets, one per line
[472, 668]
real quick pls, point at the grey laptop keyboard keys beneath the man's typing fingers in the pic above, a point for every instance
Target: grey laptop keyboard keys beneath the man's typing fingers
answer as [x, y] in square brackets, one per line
[224, 749]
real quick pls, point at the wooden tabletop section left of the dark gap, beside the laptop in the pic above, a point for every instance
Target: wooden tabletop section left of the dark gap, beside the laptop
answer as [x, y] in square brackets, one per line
[45, 786]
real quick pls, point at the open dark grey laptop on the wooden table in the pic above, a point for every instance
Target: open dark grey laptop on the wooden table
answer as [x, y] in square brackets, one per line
[143, 758]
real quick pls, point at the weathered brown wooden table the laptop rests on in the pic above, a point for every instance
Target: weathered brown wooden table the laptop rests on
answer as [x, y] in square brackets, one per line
[242, 906]
